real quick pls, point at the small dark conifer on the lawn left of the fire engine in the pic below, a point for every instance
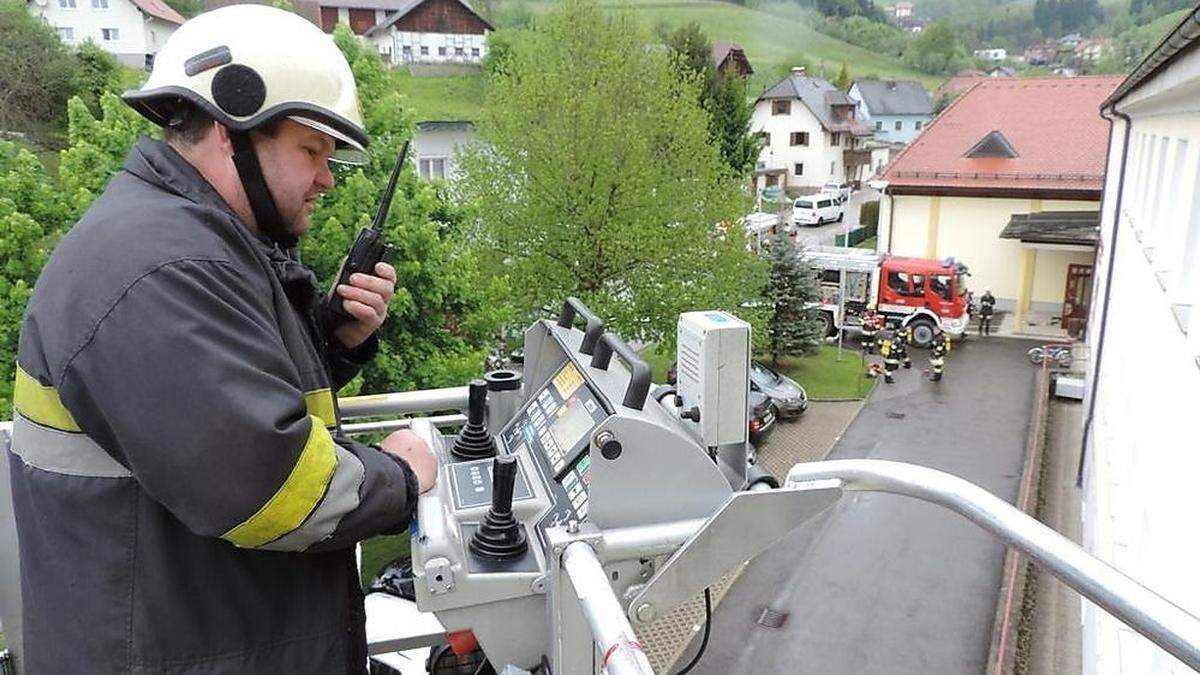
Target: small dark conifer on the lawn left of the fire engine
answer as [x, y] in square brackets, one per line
[793, 330]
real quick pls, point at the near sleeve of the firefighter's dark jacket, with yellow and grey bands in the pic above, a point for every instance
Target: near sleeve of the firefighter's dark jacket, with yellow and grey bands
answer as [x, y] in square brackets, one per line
[188, 384]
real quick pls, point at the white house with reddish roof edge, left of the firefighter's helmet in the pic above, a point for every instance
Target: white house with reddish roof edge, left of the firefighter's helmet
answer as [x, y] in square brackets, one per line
[134, 31]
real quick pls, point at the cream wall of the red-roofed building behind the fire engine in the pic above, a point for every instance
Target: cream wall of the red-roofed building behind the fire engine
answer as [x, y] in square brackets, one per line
[969, 229]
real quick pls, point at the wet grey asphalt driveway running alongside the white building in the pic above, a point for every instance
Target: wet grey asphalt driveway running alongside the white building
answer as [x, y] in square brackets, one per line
[884, 584]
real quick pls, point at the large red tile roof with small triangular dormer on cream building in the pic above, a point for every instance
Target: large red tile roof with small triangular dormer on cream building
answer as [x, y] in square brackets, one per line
[1054, 124]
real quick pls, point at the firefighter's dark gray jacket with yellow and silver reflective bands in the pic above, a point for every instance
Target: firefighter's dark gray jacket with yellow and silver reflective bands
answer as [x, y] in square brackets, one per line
[182, 503]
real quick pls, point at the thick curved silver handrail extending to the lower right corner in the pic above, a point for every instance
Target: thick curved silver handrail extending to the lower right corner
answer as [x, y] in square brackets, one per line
[1163, 623]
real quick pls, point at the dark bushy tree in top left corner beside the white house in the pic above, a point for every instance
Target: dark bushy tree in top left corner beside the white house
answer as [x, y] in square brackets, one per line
[38, 74]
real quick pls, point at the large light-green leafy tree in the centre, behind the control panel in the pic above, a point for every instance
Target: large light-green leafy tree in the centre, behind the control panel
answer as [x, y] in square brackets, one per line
[601, 180]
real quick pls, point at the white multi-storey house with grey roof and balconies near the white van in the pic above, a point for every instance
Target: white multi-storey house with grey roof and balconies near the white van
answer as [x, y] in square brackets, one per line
[811, 135]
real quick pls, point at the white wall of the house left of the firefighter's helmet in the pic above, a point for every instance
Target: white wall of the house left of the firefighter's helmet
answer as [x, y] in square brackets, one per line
[88, 22]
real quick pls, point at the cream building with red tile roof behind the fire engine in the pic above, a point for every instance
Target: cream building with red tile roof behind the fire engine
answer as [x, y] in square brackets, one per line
[1009, 181]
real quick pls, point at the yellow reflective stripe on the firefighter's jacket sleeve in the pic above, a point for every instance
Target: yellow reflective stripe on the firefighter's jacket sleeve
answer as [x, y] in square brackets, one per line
[299, 495]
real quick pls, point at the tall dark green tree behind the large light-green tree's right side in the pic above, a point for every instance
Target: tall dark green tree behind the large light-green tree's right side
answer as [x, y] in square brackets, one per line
[723, 98]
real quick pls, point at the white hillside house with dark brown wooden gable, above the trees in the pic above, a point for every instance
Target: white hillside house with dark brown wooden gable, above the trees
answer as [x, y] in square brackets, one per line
[431, 32]
